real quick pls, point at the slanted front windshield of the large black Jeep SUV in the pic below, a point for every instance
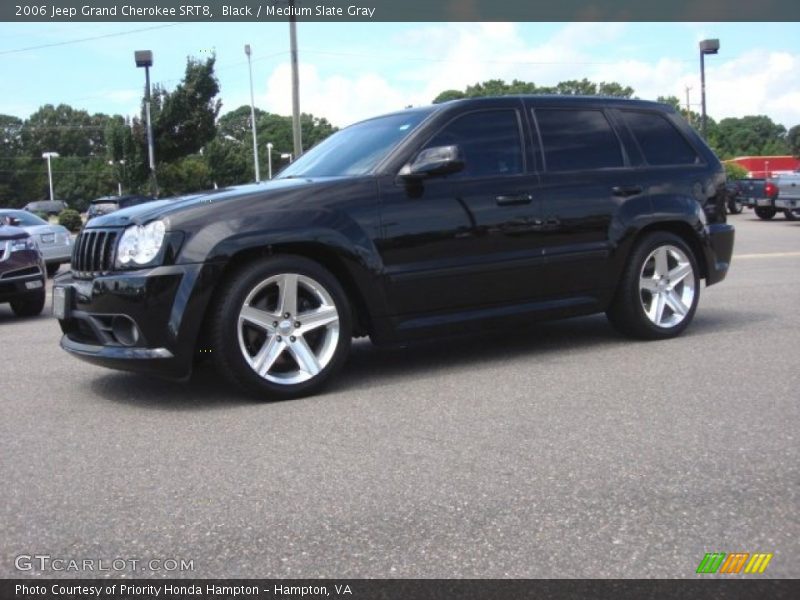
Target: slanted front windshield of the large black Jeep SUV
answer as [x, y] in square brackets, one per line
[357, 149]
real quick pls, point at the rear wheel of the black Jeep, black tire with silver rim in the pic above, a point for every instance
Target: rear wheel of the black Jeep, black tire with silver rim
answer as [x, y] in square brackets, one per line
[628, 312]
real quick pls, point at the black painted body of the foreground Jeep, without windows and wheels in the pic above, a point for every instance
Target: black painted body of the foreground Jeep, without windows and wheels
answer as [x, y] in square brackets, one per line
[416, 259]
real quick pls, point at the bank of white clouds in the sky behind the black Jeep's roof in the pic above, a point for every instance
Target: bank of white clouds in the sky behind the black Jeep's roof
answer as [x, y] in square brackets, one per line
[417, 65]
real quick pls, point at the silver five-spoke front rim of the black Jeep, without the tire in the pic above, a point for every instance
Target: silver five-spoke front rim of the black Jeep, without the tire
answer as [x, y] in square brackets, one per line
[288, 328]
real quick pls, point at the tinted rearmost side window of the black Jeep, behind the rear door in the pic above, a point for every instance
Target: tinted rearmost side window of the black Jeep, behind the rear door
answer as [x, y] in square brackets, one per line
[661, 143]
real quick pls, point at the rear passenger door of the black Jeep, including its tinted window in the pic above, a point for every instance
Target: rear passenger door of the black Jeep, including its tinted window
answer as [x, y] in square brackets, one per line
[586, 178]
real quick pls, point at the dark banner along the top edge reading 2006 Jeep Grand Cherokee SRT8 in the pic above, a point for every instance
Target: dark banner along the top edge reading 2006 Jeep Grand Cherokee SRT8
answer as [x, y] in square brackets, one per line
[397, 10]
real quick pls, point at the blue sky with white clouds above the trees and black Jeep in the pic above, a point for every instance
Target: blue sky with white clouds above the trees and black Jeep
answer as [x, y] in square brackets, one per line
[351, 71]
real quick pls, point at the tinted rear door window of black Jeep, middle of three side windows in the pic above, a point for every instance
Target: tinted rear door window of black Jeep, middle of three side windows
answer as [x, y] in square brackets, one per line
[578, 139]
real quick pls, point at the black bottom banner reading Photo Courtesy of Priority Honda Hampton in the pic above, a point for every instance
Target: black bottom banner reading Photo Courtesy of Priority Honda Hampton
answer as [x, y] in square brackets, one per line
[398, 589]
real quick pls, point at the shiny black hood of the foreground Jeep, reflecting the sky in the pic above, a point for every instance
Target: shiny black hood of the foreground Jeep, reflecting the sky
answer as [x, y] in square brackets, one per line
[279, 193]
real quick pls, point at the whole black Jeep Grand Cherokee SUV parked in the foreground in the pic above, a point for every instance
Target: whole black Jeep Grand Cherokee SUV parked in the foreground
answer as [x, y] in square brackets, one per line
[416, 223]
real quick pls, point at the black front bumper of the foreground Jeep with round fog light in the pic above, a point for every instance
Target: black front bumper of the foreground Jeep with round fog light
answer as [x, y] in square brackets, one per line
[146, 320]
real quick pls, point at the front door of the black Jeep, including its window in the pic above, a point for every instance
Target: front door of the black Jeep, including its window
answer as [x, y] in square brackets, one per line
[464, 241]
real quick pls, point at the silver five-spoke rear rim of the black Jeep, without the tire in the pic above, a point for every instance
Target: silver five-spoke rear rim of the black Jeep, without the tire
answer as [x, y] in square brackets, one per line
[667, 286]
